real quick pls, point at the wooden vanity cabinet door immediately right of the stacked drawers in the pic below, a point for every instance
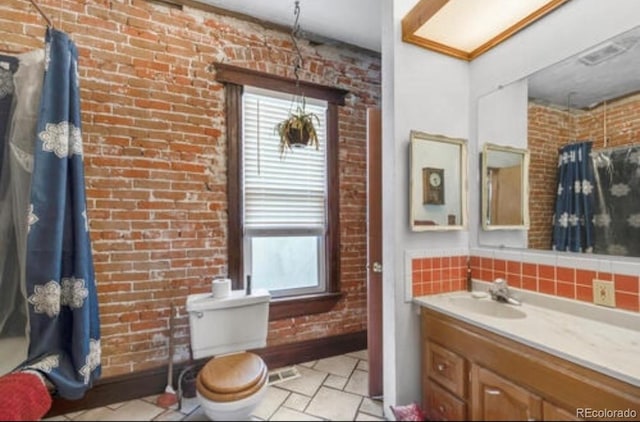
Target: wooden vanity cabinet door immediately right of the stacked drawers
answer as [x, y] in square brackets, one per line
[493, 398]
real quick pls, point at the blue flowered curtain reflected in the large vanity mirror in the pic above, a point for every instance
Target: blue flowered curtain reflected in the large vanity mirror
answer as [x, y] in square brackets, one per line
[573, 218]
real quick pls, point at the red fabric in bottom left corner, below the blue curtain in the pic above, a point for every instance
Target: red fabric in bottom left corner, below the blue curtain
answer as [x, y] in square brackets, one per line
[23, 397]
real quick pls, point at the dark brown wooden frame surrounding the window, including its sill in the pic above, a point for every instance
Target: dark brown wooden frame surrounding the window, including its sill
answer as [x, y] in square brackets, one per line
[235, 78]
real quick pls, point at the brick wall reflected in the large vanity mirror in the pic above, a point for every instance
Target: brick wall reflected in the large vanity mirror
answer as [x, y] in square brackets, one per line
[550, 128]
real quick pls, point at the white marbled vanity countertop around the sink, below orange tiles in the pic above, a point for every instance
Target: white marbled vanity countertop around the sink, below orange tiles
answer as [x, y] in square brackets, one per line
[606, 340]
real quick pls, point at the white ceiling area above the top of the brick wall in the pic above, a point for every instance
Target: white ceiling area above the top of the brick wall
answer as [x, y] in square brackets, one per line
[356, 22]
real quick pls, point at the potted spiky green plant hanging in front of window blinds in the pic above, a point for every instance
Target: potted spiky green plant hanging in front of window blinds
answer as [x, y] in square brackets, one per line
[298, 130]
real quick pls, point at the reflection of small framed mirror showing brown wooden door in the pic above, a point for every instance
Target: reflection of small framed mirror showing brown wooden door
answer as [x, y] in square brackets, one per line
[505, 188]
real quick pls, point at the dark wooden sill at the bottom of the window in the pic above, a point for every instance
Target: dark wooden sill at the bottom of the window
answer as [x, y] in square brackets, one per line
[289, 307]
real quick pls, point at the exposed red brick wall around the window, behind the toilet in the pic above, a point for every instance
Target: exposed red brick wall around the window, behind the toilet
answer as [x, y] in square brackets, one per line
[156, 162]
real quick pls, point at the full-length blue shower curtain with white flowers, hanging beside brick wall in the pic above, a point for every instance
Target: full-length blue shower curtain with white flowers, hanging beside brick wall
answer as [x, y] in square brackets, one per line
[58, 276]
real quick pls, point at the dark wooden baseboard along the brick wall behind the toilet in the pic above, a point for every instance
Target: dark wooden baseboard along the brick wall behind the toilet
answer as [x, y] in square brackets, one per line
[147, 383]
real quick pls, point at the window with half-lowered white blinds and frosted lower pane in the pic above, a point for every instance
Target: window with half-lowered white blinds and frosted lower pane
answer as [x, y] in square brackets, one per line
[284, 199]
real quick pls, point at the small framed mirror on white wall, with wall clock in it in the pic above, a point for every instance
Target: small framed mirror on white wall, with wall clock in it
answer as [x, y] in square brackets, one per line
[438, 182]
